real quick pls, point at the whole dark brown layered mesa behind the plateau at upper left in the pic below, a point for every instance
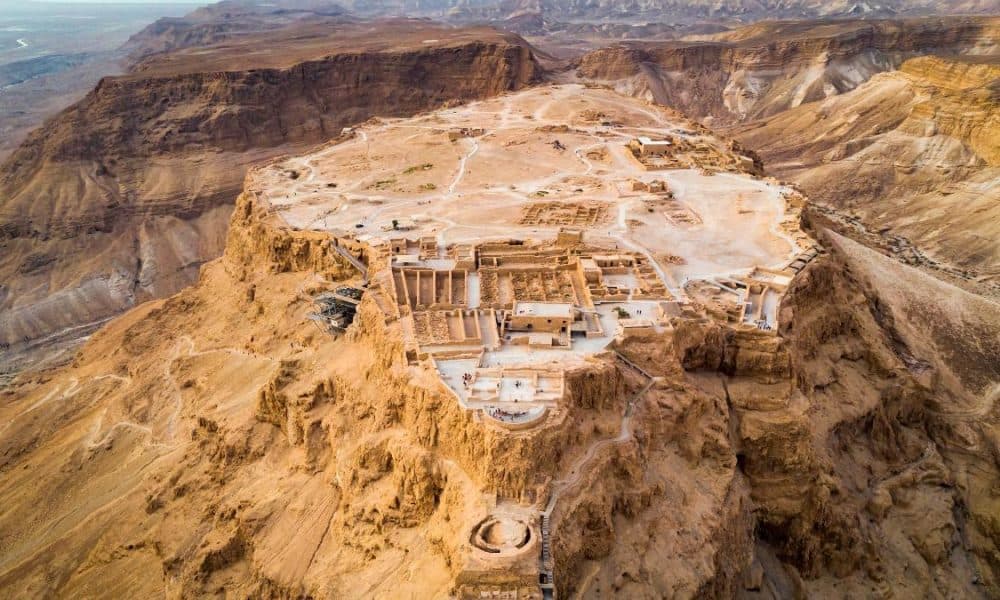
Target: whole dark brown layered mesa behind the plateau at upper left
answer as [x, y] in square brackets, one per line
[124, 195]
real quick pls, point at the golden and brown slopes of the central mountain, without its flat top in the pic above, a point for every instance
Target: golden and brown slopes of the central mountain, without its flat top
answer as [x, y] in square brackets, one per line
[217, 442]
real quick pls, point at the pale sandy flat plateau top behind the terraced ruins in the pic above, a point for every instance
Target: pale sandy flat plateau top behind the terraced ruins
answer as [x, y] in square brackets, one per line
[476, 188]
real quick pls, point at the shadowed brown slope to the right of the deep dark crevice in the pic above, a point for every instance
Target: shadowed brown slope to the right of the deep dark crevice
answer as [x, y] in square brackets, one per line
[874, 406]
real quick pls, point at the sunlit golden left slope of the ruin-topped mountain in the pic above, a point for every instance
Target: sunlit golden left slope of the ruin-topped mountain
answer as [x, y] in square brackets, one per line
[254, 452]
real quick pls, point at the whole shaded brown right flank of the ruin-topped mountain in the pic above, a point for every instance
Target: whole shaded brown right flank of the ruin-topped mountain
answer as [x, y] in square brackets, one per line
[852, 453]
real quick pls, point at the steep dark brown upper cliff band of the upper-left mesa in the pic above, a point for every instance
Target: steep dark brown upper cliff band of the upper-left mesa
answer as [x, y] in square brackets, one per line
[143, 116]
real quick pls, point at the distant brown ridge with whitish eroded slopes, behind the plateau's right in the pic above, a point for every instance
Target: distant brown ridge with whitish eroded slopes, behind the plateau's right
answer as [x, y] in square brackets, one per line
[764, 69]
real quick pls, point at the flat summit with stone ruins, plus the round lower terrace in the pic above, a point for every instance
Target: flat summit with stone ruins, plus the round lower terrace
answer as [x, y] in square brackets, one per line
[534, 243]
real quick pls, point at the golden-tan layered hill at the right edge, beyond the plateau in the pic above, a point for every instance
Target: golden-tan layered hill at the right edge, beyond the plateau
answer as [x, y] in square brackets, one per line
[915, 155]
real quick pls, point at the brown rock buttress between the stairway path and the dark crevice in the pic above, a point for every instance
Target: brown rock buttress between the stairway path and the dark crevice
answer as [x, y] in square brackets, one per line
[665, 514]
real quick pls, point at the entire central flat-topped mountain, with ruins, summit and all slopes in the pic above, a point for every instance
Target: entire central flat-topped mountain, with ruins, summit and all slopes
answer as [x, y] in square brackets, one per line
[717, 415]
